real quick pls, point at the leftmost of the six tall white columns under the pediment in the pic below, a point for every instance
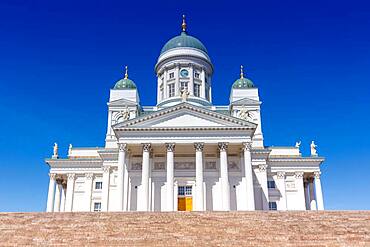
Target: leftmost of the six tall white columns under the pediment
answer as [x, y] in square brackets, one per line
[122, 148]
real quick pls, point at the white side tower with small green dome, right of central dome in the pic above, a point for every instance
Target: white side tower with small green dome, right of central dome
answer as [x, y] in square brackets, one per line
[245, 104]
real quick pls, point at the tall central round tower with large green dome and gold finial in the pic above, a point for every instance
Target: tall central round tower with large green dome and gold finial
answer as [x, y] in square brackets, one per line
[184, 66]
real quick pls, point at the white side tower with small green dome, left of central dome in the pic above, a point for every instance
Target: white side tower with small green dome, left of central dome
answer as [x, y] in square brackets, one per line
[124, 104]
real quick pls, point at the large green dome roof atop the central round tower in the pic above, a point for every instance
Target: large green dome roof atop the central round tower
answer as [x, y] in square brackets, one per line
[184, 40]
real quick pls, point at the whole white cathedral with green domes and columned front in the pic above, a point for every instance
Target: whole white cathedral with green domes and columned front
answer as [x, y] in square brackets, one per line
[184, 153]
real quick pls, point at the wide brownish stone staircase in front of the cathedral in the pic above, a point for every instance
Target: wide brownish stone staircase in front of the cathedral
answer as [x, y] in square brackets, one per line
[325, 228]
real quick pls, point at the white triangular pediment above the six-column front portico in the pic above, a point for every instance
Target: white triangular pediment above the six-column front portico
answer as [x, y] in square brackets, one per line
[184, 115]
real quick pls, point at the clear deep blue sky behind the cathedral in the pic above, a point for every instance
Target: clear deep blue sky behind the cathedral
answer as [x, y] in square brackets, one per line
[58, 60]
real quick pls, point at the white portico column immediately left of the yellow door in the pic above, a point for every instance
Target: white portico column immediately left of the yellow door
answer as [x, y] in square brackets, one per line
[170, 176]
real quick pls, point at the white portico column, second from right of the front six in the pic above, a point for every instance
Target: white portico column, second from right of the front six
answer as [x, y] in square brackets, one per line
[224, 176]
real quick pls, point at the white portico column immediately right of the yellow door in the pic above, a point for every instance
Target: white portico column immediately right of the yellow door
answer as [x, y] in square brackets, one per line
[199, 194]
